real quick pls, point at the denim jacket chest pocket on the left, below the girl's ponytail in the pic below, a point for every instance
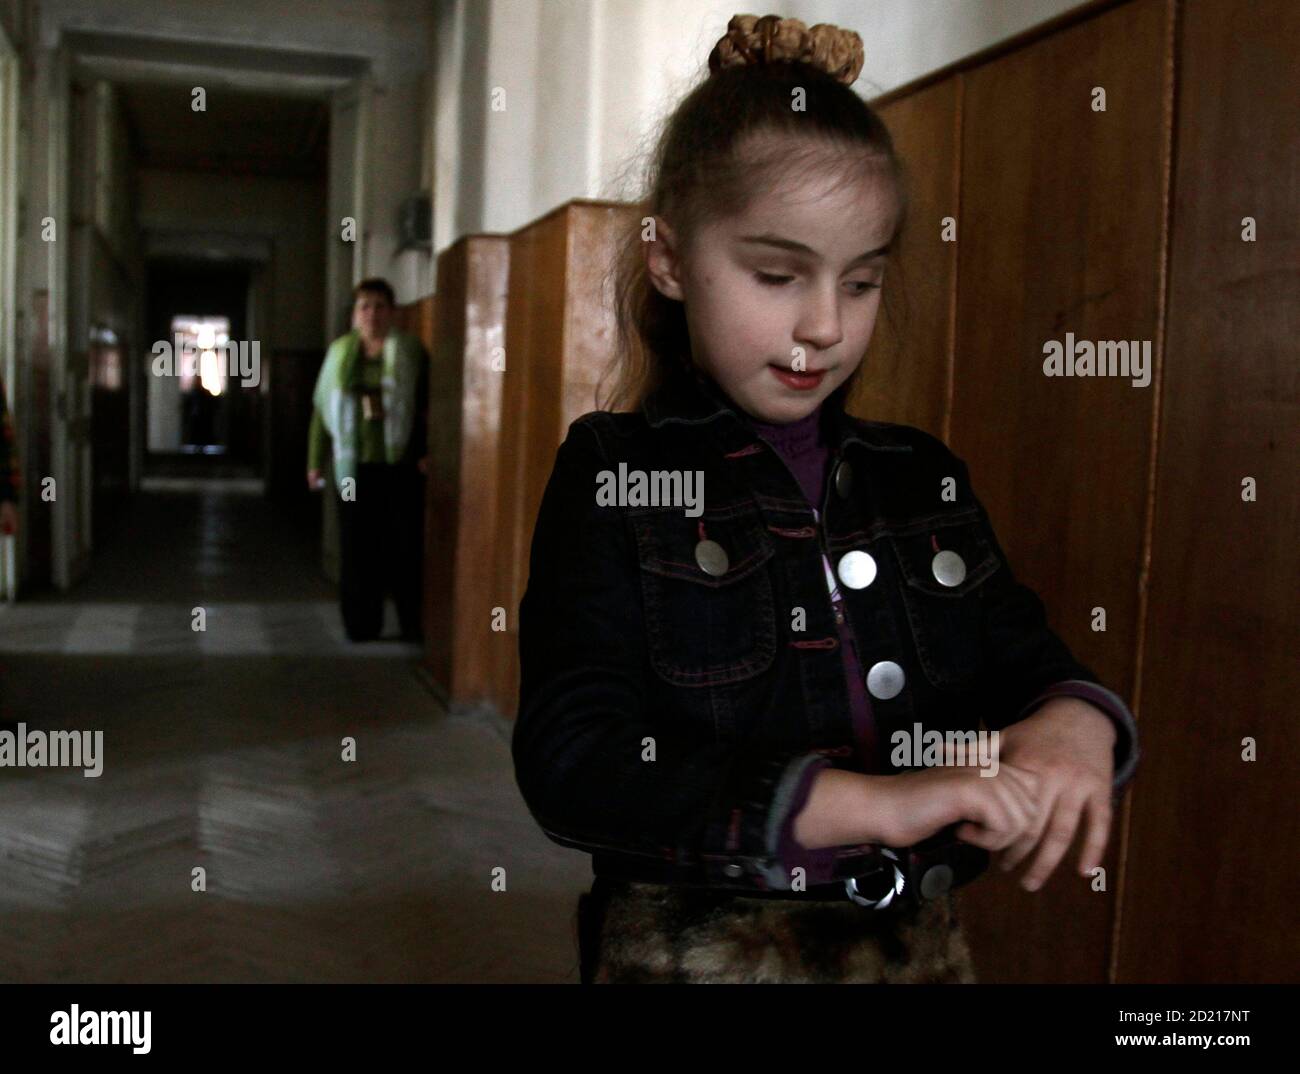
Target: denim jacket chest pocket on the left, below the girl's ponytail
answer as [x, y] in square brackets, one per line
[709, 612]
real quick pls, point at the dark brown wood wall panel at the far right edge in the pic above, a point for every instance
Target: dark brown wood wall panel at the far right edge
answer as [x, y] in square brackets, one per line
[1212, 894]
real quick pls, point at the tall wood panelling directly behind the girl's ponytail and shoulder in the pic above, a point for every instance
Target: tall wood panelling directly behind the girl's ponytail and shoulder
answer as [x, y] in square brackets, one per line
[558, 343]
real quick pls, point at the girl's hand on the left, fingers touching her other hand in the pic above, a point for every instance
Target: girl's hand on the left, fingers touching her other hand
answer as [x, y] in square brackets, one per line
[998, 809]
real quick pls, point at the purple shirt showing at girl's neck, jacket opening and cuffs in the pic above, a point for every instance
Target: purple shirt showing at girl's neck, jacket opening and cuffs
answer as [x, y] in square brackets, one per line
[801, 447]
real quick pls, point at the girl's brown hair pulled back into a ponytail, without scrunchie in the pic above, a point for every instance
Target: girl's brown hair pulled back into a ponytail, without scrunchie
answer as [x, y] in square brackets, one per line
[735, 136]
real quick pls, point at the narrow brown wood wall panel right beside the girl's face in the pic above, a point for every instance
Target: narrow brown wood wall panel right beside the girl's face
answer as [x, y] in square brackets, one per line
[909, 361]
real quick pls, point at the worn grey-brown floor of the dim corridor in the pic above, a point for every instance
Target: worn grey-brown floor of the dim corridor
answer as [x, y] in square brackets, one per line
[222, 751]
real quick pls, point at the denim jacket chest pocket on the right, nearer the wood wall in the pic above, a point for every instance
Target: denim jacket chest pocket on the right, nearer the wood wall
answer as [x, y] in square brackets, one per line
[946, 562]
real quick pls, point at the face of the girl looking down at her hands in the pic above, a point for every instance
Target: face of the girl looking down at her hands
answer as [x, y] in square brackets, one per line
[782, 301]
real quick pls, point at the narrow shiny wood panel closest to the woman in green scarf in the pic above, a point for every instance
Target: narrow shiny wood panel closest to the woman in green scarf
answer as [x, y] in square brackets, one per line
[465, 426]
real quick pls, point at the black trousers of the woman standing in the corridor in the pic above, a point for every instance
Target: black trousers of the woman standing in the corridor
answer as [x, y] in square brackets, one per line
[382, 551]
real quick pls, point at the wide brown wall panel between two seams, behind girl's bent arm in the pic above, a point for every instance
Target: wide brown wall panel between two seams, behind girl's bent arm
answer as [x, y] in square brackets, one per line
[1063, 231]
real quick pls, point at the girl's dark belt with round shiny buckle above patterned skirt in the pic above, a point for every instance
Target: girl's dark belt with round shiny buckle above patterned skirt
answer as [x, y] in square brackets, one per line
[898, 881]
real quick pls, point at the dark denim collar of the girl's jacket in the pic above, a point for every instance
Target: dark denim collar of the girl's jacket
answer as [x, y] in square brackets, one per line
[692, 399]
